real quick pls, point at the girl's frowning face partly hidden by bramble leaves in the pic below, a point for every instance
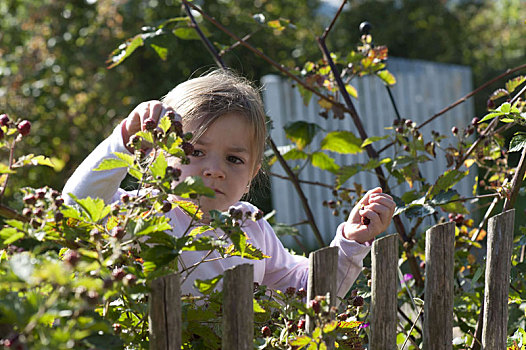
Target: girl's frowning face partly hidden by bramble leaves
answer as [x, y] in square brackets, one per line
[223, 158]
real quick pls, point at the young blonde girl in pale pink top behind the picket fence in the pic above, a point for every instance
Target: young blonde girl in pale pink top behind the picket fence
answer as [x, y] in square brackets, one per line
[225, 115]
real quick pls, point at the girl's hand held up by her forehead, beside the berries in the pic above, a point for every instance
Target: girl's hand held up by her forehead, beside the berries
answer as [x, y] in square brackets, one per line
[144, 113]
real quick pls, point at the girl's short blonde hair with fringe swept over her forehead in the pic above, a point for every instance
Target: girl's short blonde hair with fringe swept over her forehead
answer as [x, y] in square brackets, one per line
[201, 101]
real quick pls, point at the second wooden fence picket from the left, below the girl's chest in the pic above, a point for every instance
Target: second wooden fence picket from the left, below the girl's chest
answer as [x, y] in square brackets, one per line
[238, 308]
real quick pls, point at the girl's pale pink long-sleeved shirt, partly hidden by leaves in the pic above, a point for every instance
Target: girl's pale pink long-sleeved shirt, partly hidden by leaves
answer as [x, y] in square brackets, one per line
[280, 271]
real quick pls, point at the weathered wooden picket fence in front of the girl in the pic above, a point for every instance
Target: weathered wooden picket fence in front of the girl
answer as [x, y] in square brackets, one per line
[237, 321]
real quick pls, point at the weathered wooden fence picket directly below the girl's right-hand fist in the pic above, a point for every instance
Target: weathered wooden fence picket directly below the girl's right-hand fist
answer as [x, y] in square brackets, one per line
[384, 266]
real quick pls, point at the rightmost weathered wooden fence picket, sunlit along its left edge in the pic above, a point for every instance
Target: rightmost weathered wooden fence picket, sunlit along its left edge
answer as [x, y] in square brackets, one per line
[498, 265]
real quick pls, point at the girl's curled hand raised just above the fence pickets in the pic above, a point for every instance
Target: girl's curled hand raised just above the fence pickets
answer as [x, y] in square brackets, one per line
[375, 206]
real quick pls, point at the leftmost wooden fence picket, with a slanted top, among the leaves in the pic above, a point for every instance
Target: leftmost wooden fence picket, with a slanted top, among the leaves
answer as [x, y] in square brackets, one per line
[165, 313]
